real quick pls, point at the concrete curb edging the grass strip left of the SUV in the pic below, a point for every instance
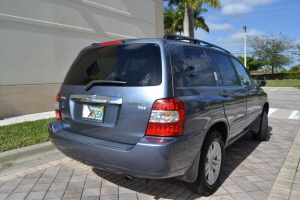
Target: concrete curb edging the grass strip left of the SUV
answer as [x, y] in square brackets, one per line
[27, 153]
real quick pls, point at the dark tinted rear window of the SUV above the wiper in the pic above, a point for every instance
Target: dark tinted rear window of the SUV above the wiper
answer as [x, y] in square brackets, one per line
[135, 64]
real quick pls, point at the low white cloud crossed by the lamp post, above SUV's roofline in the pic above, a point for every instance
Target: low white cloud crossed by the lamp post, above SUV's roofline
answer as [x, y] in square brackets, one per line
[237, 39]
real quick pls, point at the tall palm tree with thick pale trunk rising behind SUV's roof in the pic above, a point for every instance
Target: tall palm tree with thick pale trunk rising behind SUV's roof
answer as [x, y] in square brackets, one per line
[189, 7]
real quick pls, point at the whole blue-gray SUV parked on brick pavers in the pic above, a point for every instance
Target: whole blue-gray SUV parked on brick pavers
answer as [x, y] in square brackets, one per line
[158, 108]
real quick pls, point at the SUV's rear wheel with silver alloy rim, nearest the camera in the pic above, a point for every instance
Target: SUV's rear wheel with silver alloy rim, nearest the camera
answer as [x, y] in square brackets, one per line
[210, 166]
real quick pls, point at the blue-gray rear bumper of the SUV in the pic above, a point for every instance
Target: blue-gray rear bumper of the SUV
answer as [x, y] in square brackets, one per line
[173, 157]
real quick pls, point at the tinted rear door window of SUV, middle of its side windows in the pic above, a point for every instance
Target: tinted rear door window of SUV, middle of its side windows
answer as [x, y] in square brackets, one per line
[226, 70]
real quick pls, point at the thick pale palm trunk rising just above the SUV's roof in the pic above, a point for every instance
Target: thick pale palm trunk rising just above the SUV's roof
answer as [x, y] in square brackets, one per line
[188, 21]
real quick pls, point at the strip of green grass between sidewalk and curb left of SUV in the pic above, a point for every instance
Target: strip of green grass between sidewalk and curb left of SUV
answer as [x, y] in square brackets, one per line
[24, 134]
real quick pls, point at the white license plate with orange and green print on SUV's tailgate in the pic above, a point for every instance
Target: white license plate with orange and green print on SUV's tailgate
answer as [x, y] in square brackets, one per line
[92, 112]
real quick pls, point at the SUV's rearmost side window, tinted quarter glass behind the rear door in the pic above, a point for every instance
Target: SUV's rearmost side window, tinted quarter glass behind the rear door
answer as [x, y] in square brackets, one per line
[198, 67]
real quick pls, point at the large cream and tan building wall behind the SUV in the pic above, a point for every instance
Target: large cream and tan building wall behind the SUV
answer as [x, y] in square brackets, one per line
[39, 39]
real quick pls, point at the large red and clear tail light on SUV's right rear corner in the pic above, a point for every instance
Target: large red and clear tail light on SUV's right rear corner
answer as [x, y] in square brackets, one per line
[167, 118]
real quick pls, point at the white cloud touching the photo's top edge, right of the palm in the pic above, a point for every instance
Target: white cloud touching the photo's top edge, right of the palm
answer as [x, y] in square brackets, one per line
[234, 7]
